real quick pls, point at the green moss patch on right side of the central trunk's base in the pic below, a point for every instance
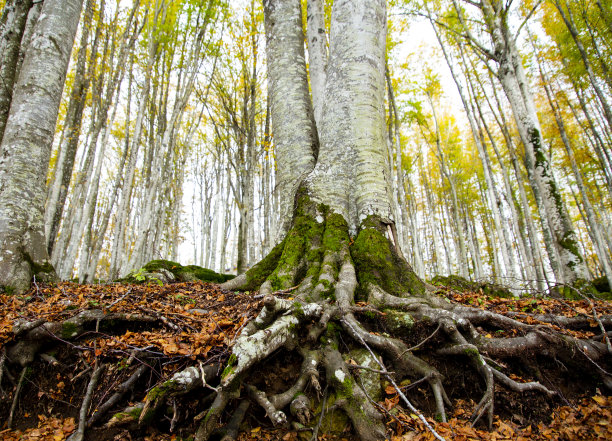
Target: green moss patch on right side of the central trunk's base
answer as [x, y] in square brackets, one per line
[377, 262]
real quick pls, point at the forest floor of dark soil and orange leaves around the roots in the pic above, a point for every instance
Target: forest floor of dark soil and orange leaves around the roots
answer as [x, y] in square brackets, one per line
[177, 325]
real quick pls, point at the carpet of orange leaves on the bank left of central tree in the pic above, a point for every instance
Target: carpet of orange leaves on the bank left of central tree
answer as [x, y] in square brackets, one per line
[193, 318]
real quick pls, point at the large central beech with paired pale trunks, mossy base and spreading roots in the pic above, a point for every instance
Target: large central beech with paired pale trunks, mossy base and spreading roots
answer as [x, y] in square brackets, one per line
[340, 244]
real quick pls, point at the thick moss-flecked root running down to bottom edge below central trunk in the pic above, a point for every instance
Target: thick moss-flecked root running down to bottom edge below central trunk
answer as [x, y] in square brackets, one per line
[366, 420]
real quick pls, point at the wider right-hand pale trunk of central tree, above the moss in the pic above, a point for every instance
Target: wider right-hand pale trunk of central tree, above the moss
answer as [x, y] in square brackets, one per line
[350, 175]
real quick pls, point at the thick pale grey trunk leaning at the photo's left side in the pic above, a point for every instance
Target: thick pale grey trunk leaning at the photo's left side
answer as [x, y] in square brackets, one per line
[26, 145]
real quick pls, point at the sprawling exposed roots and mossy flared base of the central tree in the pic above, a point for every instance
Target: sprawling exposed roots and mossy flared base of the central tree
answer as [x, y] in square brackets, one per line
[312, 286]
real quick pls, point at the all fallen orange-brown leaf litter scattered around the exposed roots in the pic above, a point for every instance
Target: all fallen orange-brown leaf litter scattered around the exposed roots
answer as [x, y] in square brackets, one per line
[199, 321]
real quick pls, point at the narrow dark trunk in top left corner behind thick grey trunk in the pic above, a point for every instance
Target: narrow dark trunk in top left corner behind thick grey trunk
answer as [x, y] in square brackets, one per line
[12, 26]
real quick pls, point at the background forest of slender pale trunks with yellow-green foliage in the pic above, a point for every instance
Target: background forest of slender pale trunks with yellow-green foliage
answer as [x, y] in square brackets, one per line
[163, 147]
